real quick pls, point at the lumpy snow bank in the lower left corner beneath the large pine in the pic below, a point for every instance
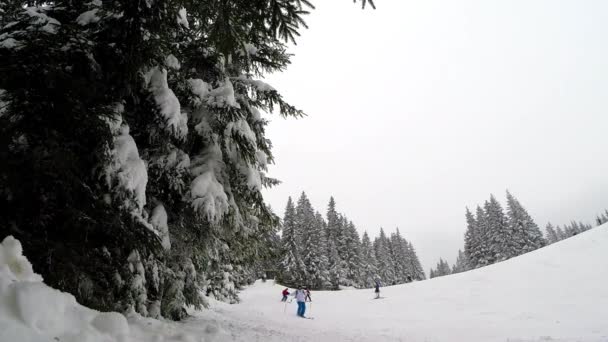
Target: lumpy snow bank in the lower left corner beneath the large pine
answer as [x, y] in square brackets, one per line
[30, 311]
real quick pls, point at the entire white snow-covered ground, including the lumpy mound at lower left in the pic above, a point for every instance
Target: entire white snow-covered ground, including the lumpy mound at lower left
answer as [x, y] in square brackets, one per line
[557, 293]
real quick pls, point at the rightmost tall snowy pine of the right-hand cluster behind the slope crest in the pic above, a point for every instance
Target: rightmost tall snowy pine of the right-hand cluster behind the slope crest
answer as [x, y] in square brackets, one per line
[525, 234]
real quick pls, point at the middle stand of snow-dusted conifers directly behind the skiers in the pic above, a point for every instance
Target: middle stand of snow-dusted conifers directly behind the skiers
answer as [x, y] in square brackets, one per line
[327, 253]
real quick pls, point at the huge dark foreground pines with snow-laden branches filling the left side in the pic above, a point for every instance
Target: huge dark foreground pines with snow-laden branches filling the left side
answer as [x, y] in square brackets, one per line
[113, 109]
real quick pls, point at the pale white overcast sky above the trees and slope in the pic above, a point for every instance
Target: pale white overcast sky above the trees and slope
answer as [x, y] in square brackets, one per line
[421, 108]
